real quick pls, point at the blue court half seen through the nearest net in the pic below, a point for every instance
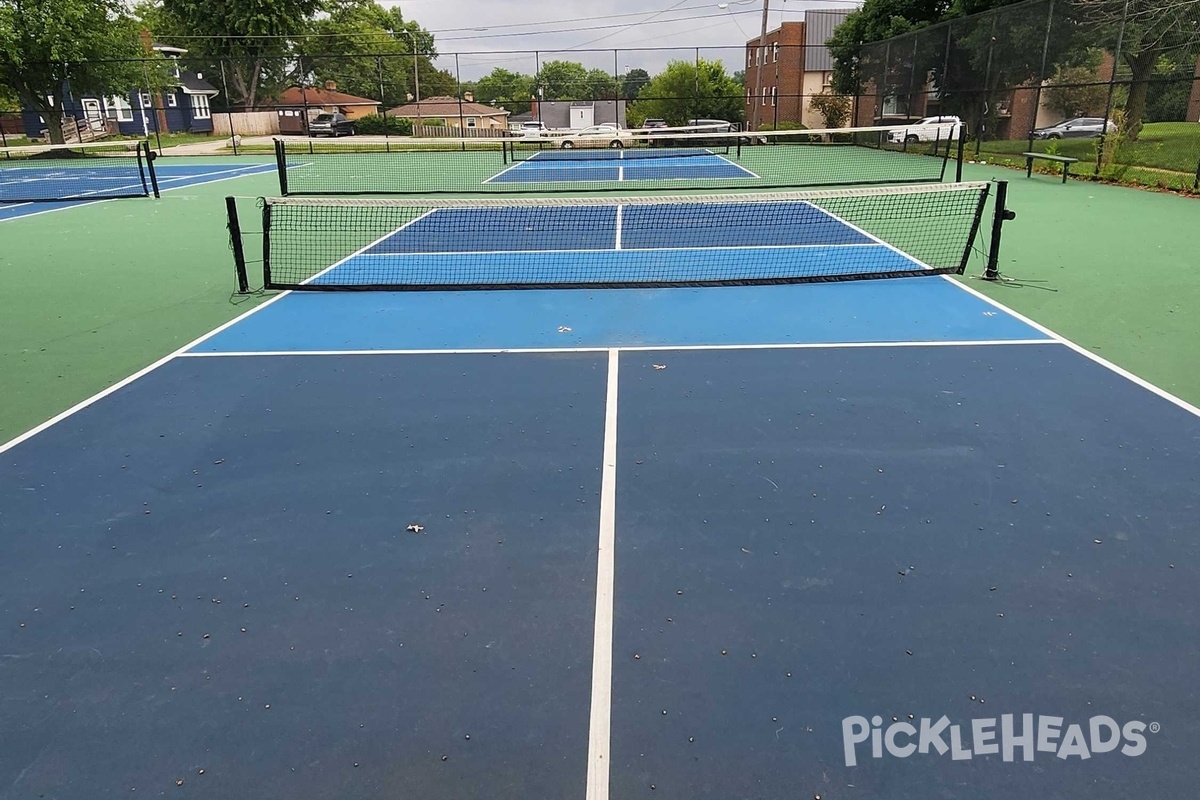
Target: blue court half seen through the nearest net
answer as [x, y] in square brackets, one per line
[619, 244]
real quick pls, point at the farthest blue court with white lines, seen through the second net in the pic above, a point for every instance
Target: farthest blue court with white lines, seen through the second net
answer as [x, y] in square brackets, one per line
[619, 165]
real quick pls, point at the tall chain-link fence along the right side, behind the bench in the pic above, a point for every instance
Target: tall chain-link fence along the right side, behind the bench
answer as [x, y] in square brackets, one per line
[1113, 83]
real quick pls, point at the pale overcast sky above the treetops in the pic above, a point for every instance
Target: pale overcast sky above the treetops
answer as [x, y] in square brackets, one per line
[489, 34]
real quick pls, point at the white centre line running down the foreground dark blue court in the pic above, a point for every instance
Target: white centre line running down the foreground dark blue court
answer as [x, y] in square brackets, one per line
[599, 729]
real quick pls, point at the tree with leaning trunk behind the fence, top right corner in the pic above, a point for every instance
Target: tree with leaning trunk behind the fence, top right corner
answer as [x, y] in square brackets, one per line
[1150, 31]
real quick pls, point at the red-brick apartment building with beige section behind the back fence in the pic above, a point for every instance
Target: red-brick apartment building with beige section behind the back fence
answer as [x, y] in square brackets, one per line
[796, 65]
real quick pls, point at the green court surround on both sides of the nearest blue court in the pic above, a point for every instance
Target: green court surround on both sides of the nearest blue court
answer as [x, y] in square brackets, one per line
[99, 292]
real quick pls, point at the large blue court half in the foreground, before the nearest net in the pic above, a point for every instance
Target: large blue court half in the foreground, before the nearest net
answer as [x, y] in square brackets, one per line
[848, 540]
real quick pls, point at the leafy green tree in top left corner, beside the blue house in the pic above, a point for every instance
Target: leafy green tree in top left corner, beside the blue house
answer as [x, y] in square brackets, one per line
[89, 47]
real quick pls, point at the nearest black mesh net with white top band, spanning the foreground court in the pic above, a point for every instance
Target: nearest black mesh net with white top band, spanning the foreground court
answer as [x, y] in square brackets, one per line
[633, 242]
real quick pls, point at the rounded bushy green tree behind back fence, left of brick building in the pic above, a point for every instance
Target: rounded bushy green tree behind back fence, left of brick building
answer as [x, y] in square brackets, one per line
[689, 91]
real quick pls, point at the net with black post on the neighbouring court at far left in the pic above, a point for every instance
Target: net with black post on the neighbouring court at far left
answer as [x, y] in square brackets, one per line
[94, 171]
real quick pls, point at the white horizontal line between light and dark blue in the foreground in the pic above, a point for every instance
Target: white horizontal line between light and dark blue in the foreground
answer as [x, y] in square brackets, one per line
[623, 348]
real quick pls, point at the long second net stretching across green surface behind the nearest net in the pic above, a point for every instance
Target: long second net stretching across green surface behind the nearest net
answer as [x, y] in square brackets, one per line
[671, 160]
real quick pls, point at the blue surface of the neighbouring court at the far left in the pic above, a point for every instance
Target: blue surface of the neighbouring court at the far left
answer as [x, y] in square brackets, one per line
[104, 182]
